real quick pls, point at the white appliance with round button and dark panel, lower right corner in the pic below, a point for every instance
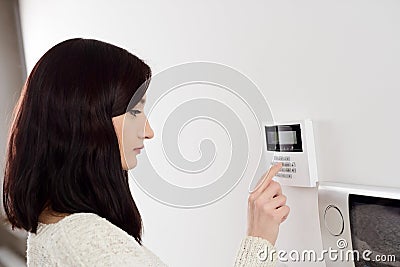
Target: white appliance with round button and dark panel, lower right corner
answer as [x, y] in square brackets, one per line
[360, 225]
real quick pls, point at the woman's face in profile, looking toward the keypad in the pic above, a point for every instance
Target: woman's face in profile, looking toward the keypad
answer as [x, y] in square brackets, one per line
[132, 128]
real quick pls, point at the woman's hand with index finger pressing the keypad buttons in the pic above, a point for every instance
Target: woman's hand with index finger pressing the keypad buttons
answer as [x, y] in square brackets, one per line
[267, 207]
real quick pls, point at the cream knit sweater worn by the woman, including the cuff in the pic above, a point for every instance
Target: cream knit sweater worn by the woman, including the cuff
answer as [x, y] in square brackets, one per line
[85, 239]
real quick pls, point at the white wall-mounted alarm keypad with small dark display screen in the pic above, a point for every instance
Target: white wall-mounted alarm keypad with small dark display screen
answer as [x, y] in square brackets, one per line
[292, 144]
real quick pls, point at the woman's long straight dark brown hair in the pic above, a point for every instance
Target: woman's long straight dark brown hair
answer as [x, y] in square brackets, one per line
[62, 149]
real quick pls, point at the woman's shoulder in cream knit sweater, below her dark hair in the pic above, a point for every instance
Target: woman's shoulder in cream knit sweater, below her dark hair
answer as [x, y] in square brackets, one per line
[85, 238]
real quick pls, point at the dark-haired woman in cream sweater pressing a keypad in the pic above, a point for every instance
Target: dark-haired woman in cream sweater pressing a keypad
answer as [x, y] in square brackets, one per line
[66, 179]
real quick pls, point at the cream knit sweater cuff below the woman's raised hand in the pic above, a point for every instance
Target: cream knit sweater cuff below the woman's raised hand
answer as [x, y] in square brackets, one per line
[255, 252]
